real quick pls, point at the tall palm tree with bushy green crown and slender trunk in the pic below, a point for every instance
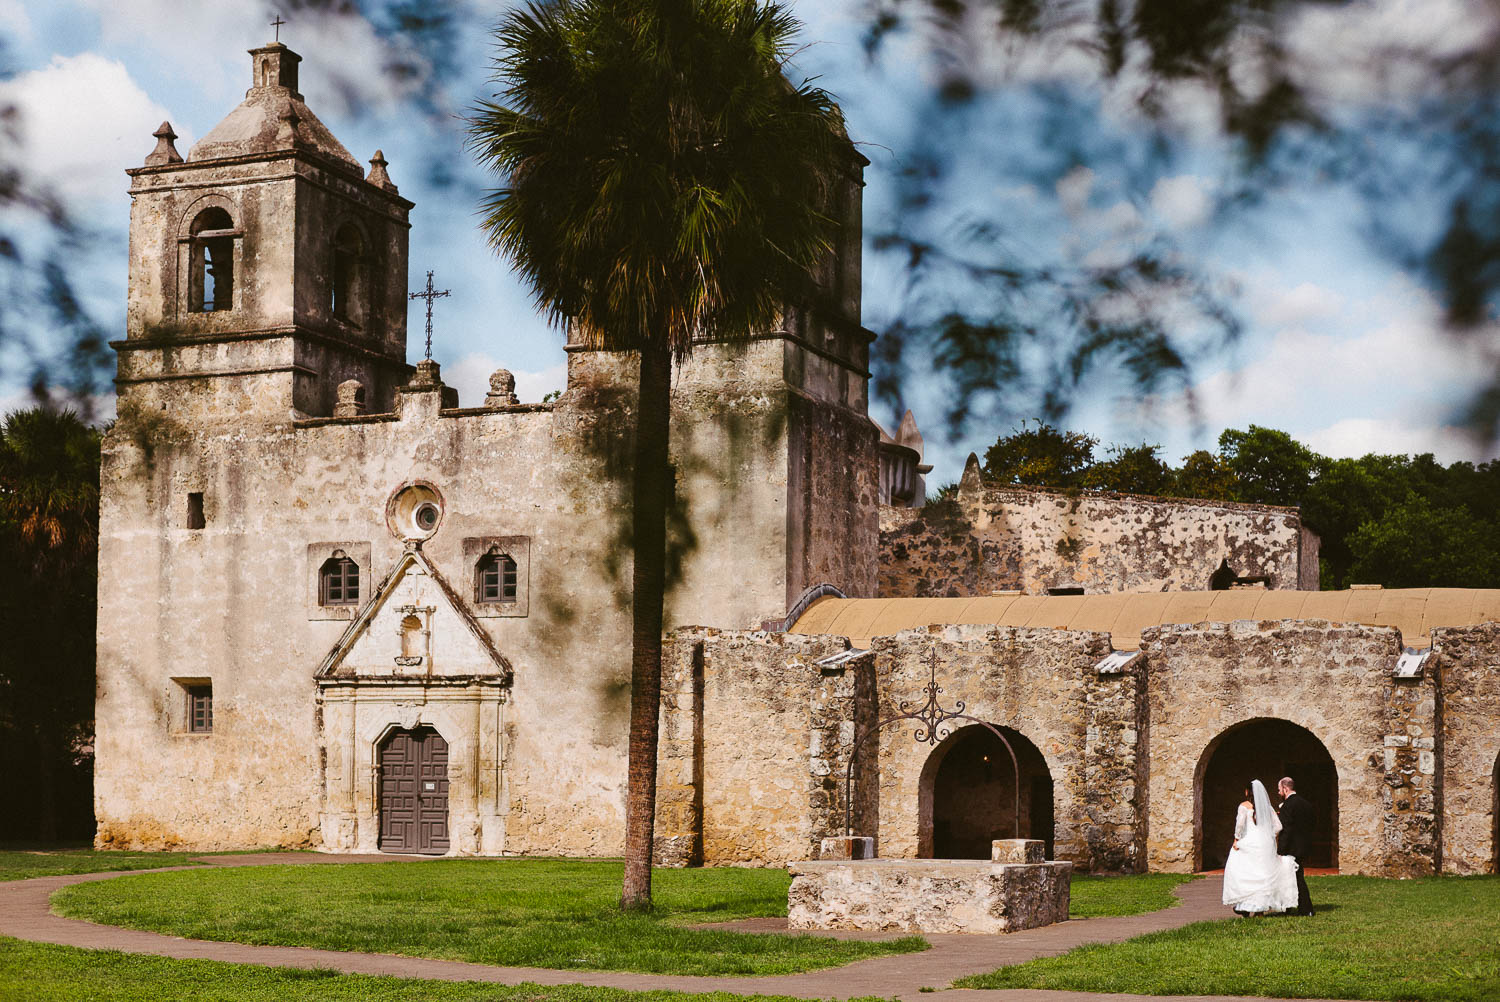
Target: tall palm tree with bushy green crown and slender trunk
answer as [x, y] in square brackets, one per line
[661, 182]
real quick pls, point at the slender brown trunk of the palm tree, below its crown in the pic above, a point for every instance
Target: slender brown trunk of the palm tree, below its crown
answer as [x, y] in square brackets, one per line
[649, 584]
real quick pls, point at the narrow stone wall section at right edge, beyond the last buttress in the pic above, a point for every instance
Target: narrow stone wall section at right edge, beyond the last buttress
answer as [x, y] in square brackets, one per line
[1469, 746]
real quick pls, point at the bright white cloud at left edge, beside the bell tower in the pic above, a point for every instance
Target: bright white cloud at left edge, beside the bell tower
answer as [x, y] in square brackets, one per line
[83, 118]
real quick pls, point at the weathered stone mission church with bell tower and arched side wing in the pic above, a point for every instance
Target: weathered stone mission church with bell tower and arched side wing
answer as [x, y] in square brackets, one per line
[338, 610]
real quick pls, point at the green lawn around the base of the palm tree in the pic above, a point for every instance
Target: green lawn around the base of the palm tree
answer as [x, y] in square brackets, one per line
[517, 913]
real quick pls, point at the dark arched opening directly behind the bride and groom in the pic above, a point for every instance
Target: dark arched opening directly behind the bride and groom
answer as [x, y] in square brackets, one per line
[1264, 749]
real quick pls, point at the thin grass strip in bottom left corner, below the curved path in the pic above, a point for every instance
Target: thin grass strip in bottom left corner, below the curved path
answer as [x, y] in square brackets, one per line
[37, 973]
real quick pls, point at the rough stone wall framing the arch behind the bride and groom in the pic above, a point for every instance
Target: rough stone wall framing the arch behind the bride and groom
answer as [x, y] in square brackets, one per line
[1333, 680]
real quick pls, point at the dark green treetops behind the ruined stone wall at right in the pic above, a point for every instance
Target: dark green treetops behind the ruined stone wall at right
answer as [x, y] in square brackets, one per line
[1394, 521]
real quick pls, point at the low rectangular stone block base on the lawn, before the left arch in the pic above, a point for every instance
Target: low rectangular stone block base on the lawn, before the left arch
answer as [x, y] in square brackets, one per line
[928, 896]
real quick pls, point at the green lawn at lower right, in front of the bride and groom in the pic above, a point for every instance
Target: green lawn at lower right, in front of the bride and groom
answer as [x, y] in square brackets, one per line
[1433, 941]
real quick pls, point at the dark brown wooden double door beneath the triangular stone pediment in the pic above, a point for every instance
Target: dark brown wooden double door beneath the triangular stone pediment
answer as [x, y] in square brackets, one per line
[415, 793]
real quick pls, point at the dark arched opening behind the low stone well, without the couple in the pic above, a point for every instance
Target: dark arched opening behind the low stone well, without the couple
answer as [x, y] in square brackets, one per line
[968, 790]
